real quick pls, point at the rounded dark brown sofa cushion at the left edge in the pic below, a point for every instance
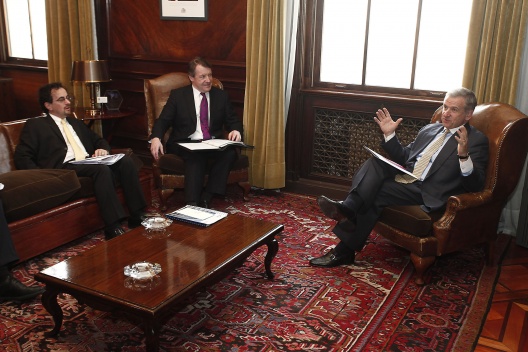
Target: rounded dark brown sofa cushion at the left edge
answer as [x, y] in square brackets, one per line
[29, 192]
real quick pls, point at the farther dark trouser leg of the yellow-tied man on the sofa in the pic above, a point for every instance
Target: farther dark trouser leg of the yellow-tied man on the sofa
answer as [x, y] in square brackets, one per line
[125, 171]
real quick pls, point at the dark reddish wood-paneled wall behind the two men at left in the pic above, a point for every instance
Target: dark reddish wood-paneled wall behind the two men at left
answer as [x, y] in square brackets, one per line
[139, 45]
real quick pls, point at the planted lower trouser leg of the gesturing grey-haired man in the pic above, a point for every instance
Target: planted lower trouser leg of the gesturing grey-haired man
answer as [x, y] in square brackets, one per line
[390, 193]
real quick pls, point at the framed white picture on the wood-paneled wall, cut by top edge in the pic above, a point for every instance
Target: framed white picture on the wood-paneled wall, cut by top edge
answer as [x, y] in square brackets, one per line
[190, 10]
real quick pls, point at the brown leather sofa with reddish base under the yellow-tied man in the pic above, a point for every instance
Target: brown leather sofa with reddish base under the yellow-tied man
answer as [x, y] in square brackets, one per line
[47, 208]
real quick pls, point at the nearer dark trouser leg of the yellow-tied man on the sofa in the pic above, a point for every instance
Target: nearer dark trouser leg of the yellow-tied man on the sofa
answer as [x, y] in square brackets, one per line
[104, 188]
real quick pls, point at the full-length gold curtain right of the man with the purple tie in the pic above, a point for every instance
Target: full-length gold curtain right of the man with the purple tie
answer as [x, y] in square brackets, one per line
[264, 96]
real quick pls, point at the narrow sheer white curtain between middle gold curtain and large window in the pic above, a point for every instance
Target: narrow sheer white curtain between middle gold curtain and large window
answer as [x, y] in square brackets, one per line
[290, 44]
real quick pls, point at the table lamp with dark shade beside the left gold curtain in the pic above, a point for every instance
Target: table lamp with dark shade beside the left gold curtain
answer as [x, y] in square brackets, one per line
[91, 72]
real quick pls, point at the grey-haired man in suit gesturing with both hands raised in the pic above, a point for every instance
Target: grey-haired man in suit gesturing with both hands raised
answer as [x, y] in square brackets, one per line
[457, 165]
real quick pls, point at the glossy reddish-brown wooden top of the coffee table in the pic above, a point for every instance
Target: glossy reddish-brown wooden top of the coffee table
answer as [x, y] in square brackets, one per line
[187, 254]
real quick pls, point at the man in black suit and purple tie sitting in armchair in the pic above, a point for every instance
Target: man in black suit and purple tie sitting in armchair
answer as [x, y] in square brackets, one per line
[184, 112]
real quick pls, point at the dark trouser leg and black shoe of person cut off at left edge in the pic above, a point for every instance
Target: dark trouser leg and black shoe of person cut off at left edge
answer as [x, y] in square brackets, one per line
[10, 288]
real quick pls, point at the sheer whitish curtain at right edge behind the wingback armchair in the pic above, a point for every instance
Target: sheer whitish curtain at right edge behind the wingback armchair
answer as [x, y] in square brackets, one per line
[510, 215]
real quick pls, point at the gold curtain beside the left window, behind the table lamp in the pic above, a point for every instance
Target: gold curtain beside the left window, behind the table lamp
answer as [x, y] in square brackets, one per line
[70, 38]
